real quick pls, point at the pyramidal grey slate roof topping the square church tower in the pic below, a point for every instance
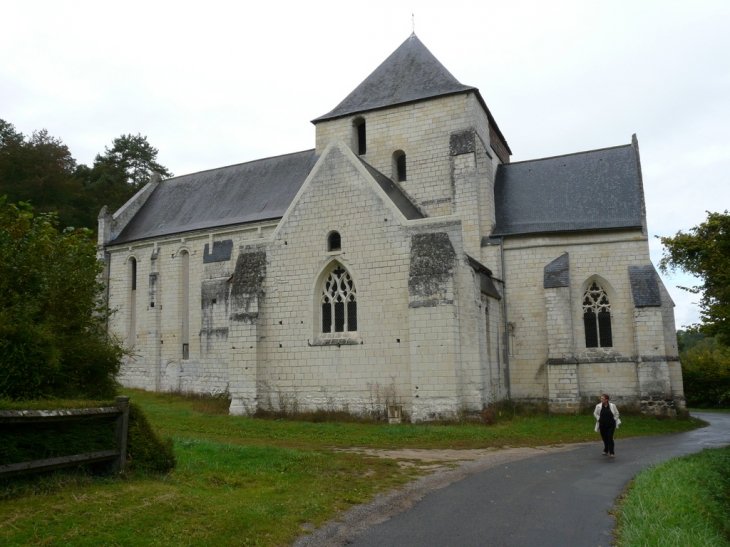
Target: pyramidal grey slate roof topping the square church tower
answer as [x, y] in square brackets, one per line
[411, 73]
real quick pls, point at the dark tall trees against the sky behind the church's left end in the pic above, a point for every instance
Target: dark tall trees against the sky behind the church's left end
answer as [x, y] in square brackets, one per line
[39, 169]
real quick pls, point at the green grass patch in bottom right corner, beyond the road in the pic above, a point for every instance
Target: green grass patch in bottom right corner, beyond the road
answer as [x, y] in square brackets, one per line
[684, 502]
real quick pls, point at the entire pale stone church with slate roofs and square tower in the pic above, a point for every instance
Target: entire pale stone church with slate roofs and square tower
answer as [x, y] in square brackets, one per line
[403, 260]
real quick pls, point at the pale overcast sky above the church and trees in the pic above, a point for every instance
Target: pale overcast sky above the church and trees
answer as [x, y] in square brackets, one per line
[217, 83]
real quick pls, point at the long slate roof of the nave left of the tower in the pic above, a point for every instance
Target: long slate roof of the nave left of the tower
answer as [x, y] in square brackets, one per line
[237, 194]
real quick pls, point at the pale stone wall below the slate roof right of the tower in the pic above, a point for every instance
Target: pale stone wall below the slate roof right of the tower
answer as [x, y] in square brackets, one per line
[631, 370]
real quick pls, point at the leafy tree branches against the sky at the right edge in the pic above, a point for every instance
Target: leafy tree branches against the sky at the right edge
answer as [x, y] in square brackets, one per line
[705, 252]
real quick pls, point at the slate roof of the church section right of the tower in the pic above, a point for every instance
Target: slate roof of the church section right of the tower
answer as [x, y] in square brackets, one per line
[594, 190]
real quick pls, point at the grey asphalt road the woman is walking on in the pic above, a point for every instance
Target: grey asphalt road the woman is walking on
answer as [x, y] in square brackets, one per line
[553, 500]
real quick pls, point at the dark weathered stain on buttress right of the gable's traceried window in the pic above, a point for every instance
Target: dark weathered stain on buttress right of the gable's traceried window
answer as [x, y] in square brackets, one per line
[432, 264]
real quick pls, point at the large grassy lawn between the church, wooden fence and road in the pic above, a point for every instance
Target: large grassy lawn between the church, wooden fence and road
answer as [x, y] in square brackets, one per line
[241, 481]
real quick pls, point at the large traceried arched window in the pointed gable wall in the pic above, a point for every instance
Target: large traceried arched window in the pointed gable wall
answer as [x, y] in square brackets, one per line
[339, 302]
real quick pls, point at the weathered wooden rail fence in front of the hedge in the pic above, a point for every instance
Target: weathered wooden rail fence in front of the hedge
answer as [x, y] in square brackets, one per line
[117, 457]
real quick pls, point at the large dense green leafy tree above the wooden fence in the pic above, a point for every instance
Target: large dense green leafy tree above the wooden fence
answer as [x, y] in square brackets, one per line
[53, 339]
